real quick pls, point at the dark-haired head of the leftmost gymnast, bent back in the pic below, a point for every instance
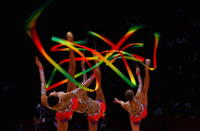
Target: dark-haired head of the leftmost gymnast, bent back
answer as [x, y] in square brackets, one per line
[53, 99]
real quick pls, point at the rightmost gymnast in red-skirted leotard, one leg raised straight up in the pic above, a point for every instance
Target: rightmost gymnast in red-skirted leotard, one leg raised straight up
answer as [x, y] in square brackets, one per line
[136, 105]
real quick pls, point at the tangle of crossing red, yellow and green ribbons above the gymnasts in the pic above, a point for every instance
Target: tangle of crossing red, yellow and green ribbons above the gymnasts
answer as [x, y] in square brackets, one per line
[108, 57]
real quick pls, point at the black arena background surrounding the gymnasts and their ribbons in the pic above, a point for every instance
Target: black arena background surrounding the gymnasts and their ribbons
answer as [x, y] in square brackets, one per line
[174, 84]
